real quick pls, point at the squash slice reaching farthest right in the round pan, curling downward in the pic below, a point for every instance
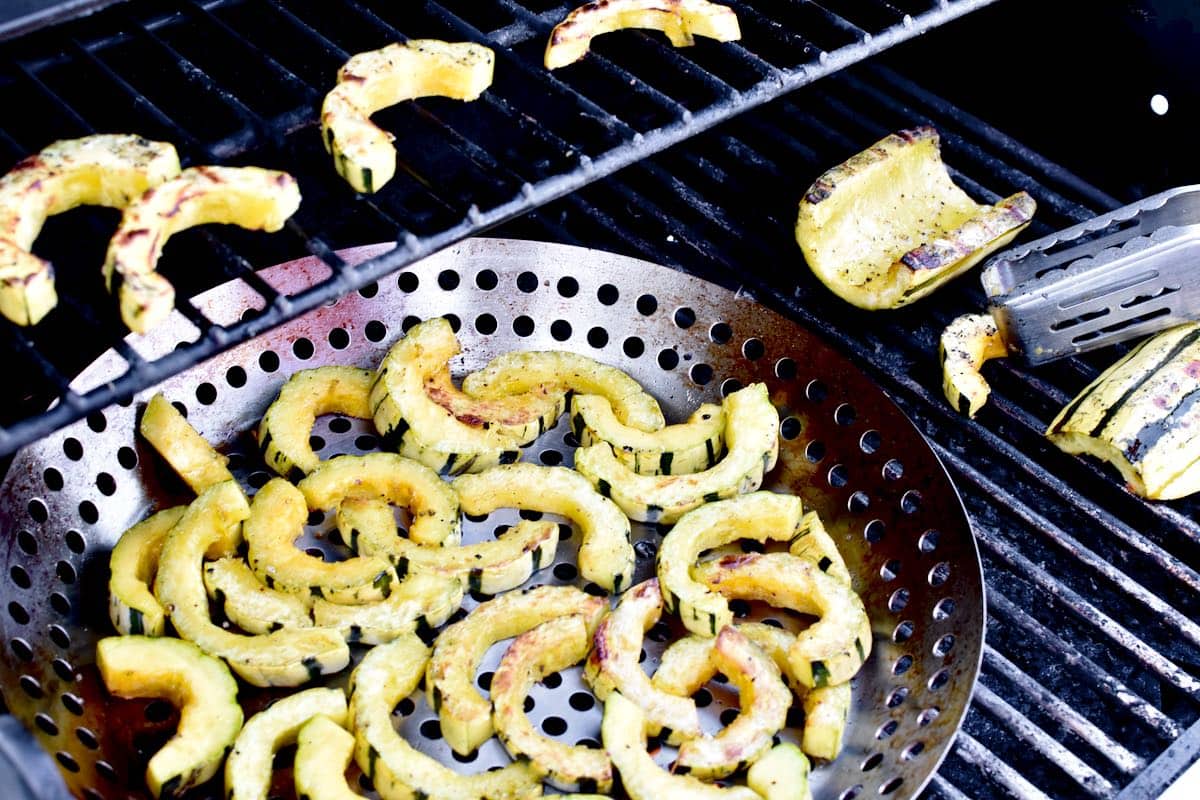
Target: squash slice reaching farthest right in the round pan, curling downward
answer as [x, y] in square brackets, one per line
[833, 649]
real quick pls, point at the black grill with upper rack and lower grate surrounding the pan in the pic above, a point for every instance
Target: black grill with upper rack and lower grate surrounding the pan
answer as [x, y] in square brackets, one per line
[692, 159]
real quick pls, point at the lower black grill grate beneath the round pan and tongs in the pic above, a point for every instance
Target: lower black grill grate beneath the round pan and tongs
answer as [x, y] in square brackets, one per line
[1093, 664]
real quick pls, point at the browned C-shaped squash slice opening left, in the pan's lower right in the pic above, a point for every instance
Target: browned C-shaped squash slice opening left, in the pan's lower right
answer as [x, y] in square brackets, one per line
[764, 697]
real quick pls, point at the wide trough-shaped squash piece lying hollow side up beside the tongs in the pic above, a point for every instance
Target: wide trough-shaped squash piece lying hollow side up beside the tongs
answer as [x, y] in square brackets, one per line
[889, 226]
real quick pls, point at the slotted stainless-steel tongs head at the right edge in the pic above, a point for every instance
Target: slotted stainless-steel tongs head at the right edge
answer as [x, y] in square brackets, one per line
[1126, 274]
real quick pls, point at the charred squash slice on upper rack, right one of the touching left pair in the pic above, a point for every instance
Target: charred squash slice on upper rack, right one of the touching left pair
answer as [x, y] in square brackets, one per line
[259, 200]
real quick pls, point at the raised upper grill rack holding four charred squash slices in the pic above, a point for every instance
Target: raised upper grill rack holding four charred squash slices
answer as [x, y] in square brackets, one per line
[241, 82]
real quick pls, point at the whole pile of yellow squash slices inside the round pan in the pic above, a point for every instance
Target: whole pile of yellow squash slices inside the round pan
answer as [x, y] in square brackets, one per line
[226, 576]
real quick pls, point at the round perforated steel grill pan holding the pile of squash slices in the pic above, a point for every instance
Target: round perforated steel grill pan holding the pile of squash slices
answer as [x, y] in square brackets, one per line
[847, 450]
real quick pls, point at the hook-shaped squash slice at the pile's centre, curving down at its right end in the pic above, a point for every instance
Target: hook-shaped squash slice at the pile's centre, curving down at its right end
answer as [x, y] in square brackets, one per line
[607, 556]
